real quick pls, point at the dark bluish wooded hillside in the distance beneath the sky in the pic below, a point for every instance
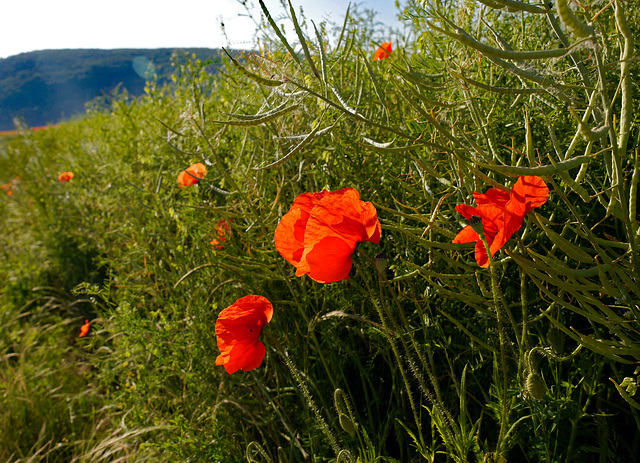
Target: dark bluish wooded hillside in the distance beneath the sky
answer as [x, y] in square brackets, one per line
[44, 87]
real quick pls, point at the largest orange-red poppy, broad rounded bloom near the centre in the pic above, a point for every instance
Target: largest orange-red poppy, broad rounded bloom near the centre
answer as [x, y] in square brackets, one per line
[321, 230]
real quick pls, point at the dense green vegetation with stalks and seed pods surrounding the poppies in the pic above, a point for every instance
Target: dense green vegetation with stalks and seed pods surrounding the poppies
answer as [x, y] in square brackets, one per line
[421, 354]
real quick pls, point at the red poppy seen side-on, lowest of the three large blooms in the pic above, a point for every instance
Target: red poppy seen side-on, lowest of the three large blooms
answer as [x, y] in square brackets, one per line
[237, 330]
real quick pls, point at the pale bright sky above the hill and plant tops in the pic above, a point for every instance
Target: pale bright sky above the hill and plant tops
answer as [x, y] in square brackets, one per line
[57, 24]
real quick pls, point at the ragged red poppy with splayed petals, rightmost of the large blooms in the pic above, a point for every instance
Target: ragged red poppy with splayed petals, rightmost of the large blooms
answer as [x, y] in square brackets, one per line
[502, 214]
